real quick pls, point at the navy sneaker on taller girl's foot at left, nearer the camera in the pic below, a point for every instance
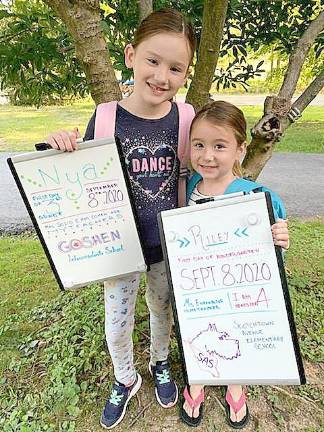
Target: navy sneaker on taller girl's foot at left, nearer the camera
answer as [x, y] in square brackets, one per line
[116, 405]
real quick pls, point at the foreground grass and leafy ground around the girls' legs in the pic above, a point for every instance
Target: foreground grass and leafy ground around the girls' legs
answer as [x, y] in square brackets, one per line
[54, 370]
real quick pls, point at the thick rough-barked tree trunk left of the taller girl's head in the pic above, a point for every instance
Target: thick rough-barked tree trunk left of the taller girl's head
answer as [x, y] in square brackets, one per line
[83, 22]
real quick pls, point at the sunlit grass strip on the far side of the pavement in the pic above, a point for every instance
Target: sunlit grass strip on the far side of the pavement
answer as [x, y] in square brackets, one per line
[21, 127]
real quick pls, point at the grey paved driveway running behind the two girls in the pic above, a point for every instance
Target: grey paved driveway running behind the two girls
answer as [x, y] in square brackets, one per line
[297, 177]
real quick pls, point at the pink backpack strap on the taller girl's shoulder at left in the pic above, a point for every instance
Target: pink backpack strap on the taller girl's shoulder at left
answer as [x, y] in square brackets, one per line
[105, 120]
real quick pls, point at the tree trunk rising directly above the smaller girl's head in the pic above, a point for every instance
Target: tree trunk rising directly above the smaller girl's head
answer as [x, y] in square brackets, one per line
[211, 36]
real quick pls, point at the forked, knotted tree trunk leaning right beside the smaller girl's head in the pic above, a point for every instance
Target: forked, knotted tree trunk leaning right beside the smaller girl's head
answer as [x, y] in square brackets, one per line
[279, 113]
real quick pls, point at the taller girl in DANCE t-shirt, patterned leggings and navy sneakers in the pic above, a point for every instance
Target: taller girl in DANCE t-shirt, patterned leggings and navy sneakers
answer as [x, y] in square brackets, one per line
[147, 124]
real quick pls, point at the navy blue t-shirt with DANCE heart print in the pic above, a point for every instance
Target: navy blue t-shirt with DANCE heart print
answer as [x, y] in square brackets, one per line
[150, 150]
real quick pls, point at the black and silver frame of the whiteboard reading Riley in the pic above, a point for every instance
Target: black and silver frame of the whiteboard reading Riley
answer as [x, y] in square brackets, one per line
[225, 200]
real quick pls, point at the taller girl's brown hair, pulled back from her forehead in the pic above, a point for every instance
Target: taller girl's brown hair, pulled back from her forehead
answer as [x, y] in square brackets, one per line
[165, 21]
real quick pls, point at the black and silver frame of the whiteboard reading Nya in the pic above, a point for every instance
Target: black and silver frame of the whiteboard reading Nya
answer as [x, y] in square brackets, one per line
[48, 151]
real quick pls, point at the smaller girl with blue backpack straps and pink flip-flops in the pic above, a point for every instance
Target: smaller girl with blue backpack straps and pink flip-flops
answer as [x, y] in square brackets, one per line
[218, 140]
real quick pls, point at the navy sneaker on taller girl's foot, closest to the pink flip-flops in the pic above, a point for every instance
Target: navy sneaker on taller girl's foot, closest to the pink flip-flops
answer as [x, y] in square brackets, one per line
[166, 390]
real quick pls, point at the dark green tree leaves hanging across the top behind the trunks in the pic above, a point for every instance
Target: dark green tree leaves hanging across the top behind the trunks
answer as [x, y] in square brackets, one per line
[38, 63]
